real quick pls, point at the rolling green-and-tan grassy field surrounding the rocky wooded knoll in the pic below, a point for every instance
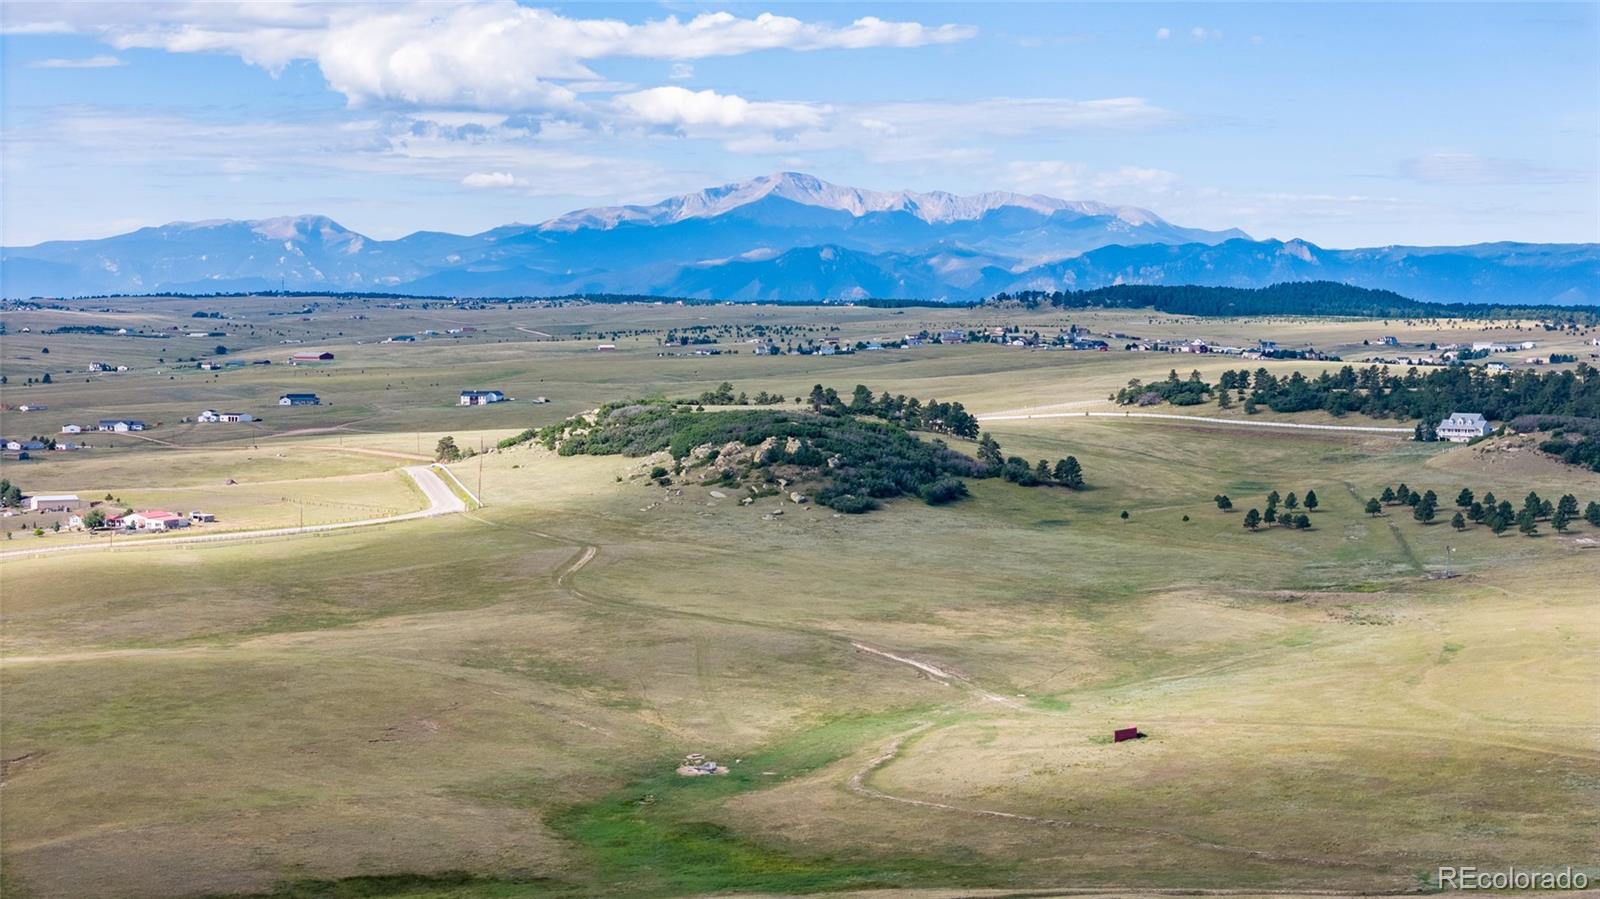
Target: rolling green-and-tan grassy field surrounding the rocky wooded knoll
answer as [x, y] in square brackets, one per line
[494, 703]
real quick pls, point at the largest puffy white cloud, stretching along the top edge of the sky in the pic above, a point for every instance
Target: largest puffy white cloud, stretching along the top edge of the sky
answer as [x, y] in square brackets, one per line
[490, 55]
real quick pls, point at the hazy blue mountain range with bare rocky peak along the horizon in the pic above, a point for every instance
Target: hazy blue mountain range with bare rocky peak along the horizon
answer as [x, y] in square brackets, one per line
[785, 238]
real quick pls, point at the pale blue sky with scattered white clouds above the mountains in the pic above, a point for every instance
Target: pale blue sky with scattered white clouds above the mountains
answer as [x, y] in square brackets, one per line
[1348, 126]
